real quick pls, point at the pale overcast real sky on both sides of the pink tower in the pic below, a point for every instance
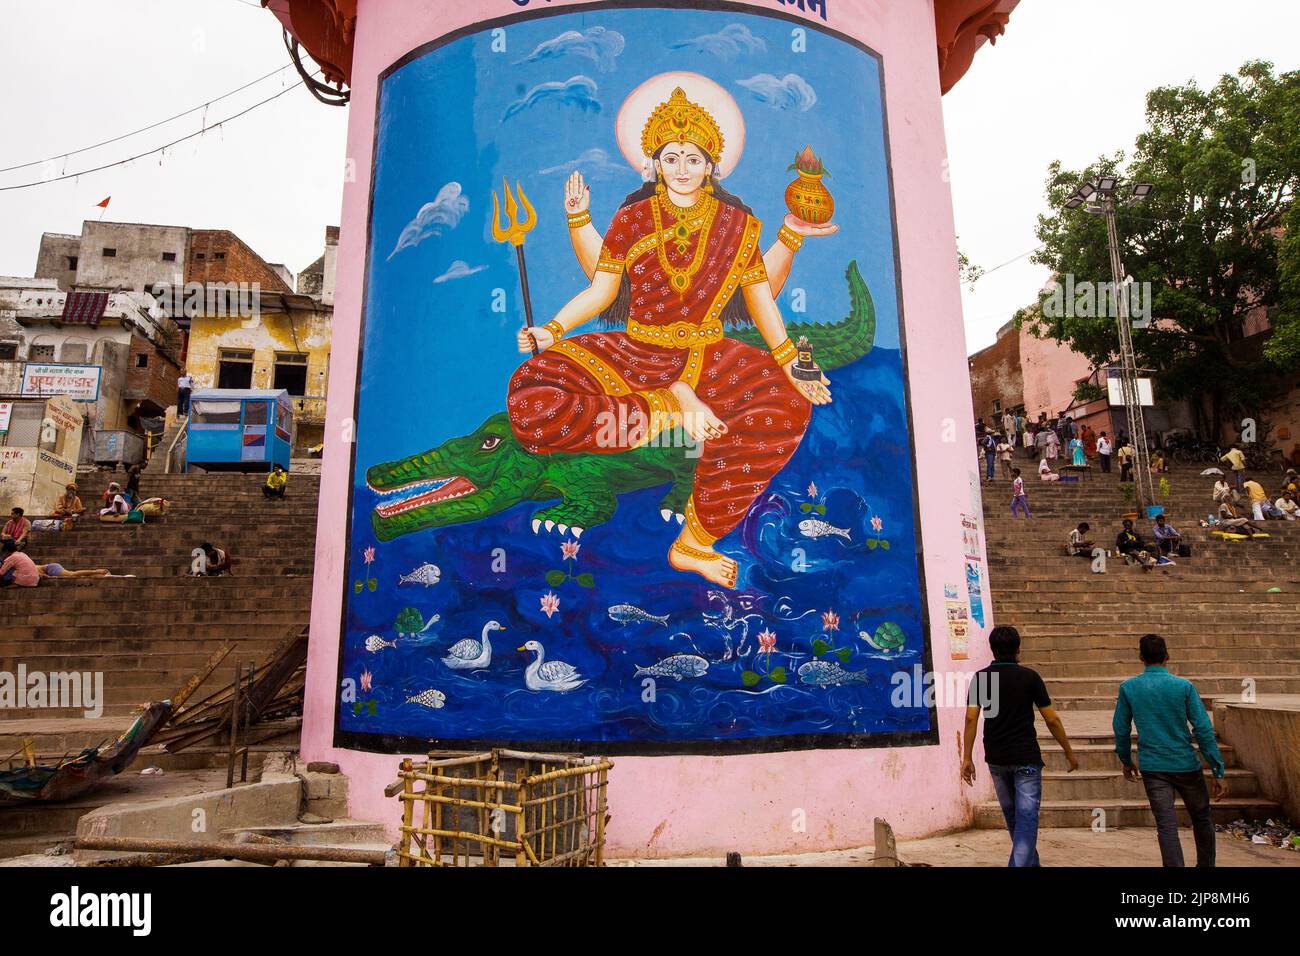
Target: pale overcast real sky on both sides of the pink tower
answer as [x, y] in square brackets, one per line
[1068, 81]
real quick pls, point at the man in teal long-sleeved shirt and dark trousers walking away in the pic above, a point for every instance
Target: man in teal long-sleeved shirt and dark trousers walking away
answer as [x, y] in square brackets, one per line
[1163, 707]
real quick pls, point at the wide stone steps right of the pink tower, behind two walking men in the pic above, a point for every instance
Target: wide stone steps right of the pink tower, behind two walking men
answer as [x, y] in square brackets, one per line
[1080, 630]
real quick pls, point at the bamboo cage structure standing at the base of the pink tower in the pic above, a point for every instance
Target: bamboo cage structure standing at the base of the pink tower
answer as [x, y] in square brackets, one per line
[502, 808]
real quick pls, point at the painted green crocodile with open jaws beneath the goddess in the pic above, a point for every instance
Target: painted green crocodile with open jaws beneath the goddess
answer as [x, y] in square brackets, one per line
[488, 471]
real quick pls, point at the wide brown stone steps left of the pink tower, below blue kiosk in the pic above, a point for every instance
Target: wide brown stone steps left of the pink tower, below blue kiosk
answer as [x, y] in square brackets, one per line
[148, 635]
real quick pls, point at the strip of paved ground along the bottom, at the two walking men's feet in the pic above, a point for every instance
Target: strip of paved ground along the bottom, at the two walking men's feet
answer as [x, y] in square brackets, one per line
[1065, 847]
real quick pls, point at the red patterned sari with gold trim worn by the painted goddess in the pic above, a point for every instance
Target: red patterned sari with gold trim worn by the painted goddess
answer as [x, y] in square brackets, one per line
[683, 272]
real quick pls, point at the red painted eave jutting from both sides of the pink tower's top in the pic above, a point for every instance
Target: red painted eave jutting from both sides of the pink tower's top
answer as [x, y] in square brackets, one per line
[327, 28]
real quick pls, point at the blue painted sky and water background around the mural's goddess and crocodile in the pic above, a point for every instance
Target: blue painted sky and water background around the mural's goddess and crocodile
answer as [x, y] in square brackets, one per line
[437, 360]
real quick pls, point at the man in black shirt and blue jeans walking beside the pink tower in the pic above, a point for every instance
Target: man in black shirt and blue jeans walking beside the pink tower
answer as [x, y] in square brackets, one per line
[1007, 694]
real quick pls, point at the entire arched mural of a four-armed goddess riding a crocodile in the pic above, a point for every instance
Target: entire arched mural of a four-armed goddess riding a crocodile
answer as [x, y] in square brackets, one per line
[634, 465]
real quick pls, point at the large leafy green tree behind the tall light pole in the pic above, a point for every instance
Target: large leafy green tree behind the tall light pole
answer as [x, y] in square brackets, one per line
[1217, 241]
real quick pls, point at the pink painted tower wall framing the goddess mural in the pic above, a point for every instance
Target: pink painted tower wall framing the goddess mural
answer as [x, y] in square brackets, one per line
[697, 806]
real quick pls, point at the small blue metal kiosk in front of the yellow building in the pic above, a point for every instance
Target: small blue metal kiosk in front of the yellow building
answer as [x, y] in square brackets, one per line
[240, 430]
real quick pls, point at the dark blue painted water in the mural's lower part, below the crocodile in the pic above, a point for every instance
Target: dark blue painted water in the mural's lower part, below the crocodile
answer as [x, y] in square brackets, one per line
[860, 471]
